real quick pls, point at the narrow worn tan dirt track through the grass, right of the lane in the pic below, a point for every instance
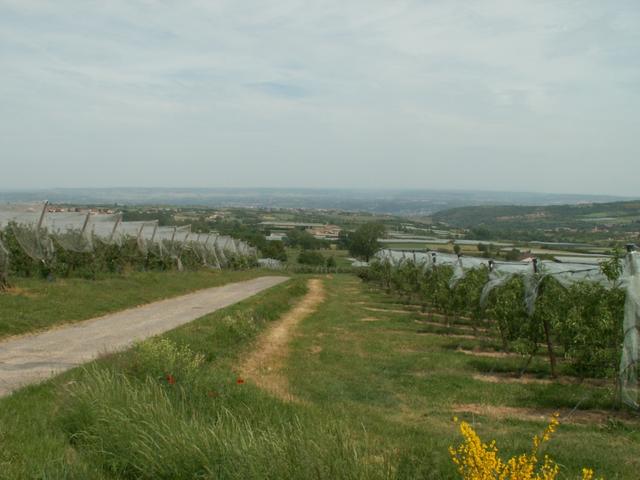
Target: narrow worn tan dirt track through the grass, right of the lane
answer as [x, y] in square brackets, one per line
[264, 364]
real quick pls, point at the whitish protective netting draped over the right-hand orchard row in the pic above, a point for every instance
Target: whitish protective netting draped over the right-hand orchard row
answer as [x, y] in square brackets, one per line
[617, 275]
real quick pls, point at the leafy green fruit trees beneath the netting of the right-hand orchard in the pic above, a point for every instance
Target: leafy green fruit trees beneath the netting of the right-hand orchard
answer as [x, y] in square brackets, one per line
[585, 320]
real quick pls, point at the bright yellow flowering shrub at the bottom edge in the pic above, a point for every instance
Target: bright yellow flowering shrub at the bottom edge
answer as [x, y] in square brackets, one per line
[476, 460]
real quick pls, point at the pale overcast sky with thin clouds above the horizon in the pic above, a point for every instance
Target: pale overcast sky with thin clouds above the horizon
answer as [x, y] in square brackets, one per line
[491, 95]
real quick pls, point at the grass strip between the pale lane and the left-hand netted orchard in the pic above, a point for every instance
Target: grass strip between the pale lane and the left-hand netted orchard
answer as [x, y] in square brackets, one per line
[35, 304]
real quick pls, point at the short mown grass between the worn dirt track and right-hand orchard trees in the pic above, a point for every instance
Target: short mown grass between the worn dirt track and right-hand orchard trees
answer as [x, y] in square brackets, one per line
[400, 385]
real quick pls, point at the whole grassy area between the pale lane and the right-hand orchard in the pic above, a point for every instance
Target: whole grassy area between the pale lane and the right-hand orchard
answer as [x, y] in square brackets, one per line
[370, 389]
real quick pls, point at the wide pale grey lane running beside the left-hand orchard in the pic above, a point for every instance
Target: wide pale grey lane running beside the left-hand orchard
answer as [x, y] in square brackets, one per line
[31, 358]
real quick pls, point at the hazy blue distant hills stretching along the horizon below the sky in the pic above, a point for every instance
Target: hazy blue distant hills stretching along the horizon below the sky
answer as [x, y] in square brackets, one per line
[391, 201]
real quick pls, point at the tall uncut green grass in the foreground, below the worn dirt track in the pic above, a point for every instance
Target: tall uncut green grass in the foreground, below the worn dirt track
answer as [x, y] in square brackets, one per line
[143, 429]
